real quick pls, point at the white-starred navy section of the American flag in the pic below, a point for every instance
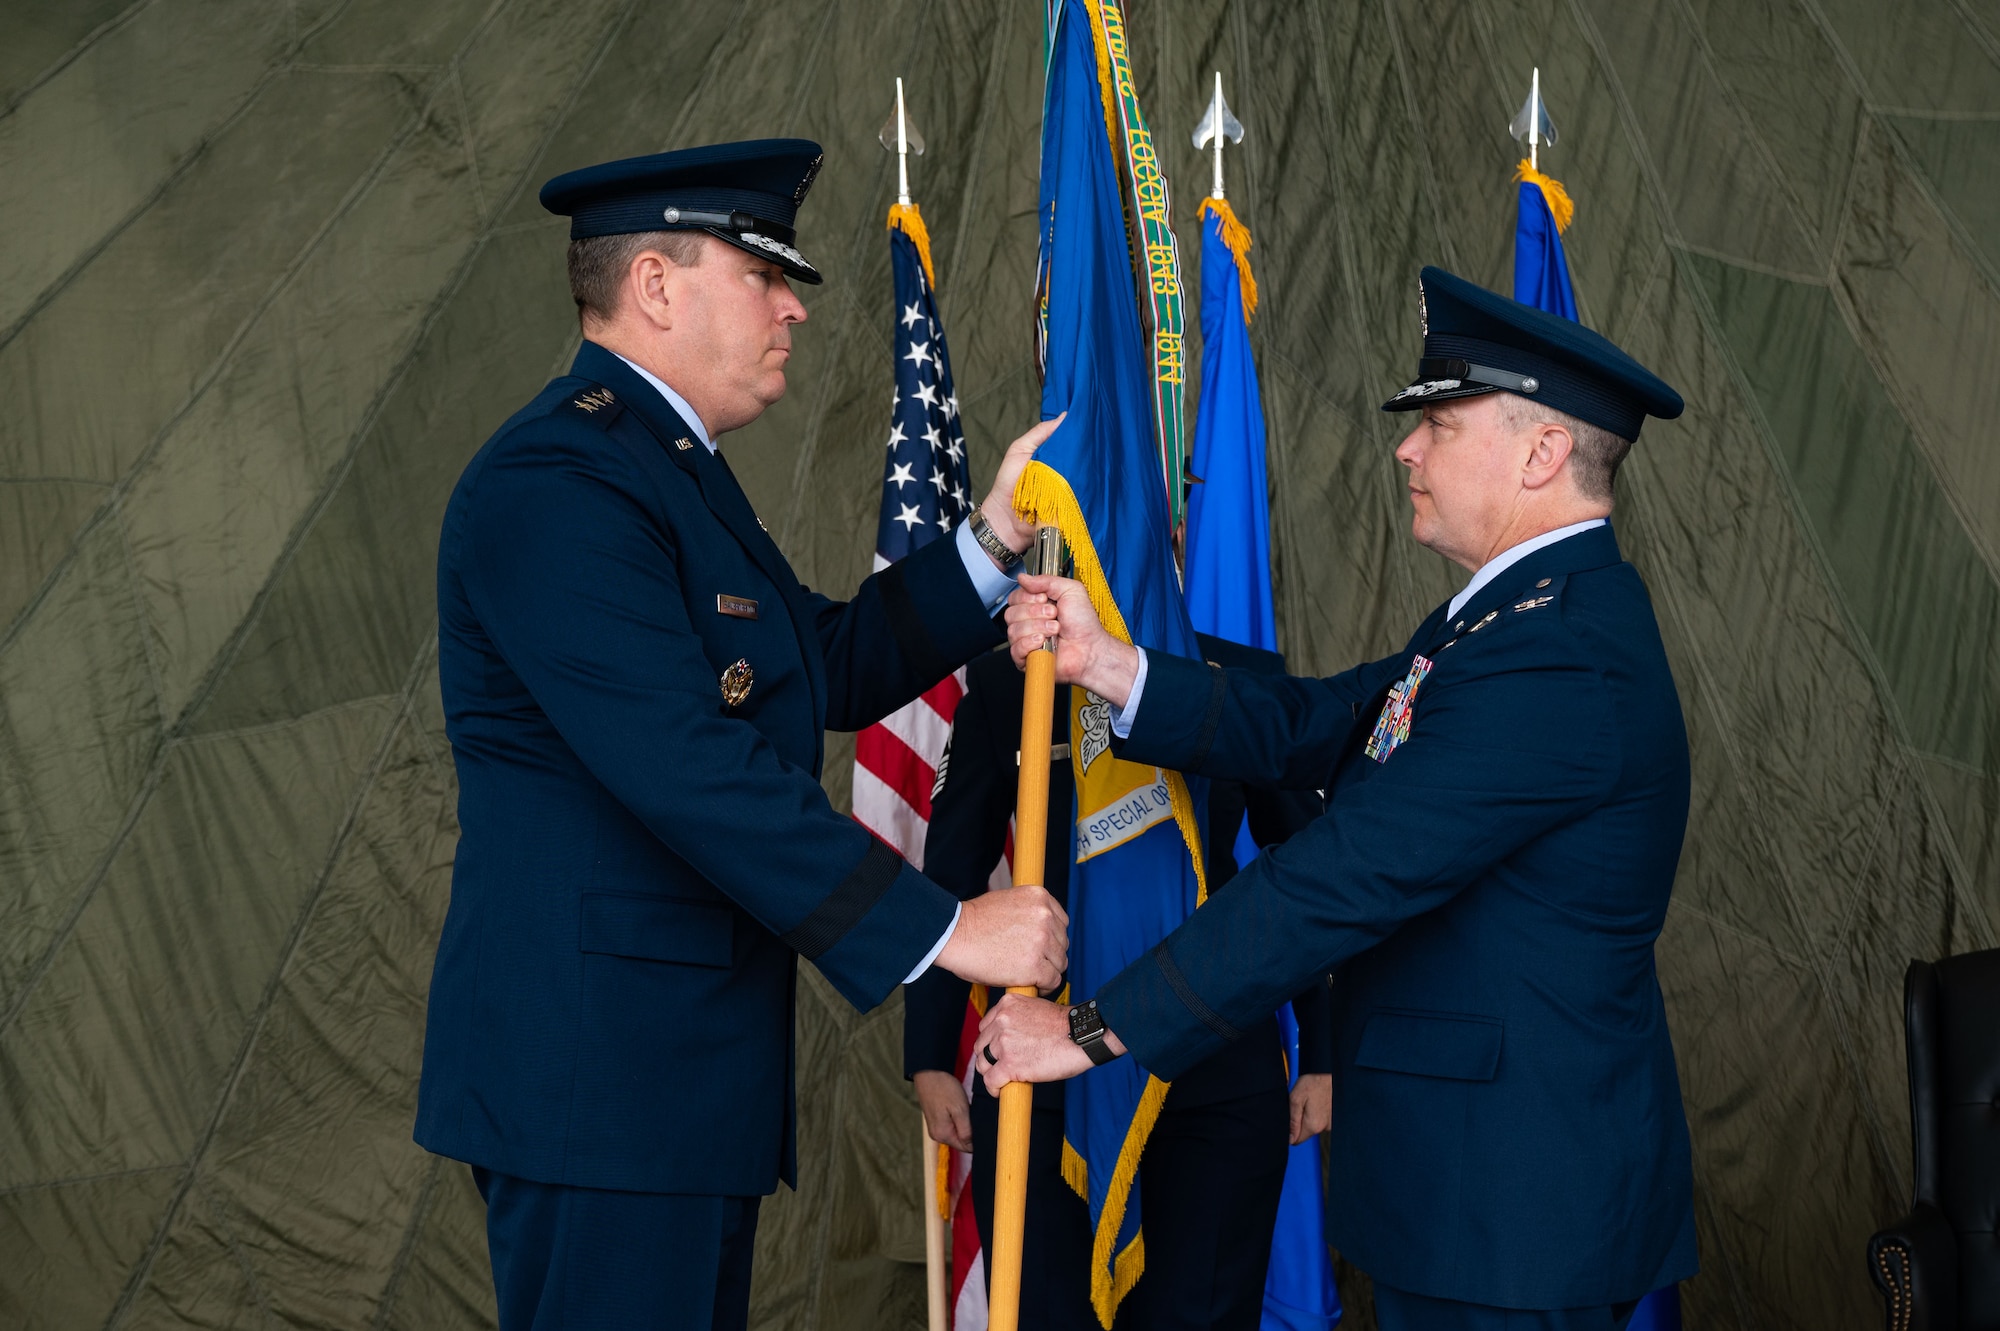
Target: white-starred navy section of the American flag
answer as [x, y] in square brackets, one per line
[927, 487]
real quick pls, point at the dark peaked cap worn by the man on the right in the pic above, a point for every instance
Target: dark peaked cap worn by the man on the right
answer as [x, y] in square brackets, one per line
[1479, 343]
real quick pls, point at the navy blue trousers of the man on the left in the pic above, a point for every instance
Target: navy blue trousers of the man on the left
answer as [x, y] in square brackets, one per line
[593, 1260]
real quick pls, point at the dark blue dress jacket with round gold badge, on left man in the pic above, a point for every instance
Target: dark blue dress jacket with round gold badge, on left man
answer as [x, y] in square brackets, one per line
[637, 688]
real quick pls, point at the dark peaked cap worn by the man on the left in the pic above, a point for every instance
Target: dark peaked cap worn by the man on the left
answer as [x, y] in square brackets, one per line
[747, 195]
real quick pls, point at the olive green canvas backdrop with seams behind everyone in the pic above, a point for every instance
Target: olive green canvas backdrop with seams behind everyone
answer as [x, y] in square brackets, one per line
[273, 271]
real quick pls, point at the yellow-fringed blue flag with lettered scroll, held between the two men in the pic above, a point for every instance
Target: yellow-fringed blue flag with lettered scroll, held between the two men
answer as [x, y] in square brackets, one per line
[1107, 297]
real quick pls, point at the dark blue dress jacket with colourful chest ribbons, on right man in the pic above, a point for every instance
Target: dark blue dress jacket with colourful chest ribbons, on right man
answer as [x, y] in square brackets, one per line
[1507, 802]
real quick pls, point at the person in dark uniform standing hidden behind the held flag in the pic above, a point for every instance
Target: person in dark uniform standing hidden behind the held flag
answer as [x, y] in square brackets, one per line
[1215, 1162]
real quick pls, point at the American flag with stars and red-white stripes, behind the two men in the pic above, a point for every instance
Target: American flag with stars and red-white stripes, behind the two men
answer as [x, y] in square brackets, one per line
[927, 493]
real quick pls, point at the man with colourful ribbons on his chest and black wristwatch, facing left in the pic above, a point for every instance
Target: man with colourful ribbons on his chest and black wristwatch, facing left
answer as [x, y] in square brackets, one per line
[1507, 800]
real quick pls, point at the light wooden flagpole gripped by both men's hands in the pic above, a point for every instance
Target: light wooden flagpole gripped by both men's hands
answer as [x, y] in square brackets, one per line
[1031, 842]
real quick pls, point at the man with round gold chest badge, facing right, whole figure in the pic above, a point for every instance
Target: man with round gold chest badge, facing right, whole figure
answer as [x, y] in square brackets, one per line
[637, 692]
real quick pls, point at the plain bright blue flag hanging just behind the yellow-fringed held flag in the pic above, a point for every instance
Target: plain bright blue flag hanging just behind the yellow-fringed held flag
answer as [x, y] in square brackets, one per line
[1229, 597]
